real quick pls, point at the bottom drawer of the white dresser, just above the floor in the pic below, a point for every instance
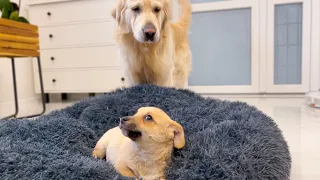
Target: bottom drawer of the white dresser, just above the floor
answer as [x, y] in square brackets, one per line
[100, 80]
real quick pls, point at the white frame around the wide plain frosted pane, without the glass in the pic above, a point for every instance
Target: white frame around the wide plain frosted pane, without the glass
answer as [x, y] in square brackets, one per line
[229, 5]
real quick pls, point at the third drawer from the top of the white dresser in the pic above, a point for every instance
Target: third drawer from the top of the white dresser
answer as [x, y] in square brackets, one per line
[88, 57]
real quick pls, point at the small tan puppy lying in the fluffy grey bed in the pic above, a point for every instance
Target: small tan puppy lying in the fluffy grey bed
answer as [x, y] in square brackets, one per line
[141, 146]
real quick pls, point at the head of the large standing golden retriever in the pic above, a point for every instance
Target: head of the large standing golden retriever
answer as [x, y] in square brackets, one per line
[144, 18]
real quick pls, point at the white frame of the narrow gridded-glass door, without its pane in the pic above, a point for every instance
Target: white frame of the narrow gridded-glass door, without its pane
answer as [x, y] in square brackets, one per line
[306, 45]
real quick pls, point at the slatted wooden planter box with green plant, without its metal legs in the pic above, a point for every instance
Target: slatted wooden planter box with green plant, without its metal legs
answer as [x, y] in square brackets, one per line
[18, 38]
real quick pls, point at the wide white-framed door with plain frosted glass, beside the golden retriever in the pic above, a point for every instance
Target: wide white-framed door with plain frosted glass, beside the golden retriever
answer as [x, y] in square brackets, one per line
[224, 40]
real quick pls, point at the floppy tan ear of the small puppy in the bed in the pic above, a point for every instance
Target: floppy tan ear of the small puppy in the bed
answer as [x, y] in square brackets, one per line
[176, 132]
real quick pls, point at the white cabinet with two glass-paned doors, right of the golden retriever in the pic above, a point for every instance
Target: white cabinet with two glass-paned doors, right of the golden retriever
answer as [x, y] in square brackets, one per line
[255, 46]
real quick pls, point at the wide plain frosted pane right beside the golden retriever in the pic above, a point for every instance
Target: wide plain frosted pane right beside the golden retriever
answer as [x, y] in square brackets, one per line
[221, 48]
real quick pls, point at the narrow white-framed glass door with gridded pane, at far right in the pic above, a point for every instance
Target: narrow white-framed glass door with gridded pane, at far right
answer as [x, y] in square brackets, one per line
[288, 46]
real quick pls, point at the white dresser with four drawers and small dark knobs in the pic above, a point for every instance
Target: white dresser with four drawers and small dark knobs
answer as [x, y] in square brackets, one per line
[78, 51]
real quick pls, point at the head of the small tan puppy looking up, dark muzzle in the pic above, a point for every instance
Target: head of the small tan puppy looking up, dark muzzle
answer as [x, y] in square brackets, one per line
[151, 125]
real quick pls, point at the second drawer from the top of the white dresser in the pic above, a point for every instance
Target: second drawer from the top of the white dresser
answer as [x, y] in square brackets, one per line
[99, 33]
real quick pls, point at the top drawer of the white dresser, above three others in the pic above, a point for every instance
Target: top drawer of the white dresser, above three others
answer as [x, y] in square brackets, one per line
[69, 12]
